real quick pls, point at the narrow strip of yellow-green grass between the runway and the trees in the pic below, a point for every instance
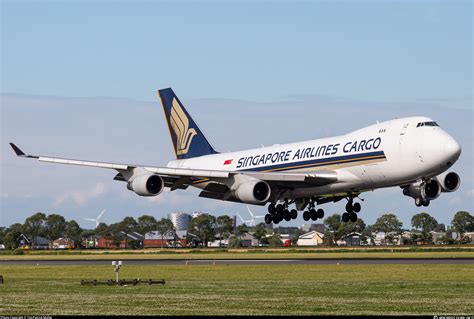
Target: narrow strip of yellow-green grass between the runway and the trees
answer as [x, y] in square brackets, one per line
[256, 253]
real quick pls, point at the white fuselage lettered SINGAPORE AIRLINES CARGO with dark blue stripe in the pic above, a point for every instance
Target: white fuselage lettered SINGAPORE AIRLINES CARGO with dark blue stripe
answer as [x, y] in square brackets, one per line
[385, 154]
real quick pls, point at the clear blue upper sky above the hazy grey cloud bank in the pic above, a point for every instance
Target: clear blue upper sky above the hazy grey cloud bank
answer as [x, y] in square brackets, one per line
[246, 50]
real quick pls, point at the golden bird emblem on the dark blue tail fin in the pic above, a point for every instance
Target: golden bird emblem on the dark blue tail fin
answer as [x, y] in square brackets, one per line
[180, 124]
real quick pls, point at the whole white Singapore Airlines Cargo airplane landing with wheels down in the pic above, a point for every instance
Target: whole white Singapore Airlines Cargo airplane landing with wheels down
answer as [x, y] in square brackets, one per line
[413, 153]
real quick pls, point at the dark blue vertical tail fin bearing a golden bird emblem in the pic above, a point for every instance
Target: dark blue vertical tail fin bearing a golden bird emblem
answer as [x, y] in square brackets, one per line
[188, 140]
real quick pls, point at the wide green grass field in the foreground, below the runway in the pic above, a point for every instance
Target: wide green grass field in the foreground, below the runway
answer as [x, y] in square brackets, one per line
[242, 290]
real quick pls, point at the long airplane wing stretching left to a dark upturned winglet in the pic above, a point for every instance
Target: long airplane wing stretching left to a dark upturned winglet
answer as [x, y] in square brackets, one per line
[182, 177]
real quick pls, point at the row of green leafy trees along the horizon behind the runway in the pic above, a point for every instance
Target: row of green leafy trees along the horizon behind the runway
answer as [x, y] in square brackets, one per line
[205, 228]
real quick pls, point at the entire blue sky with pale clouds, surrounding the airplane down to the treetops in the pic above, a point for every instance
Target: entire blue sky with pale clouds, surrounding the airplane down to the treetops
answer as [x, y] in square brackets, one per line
[79, 79]
